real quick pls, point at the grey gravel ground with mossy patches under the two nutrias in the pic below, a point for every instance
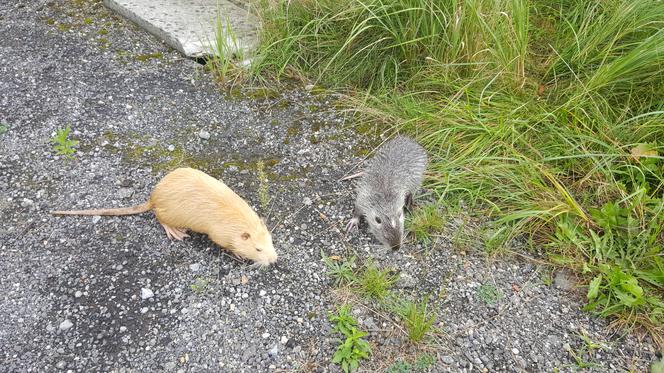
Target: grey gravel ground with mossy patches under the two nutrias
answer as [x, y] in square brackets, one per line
[113, 294]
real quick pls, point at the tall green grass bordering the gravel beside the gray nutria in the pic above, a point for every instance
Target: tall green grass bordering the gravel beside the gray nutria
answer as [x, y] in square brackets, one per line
[546, 115]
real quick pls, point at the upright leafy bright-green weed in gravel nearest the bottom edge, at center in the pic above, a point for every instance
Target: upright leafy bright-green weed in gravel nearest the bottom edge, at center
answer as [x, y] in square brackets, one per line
[353, 348]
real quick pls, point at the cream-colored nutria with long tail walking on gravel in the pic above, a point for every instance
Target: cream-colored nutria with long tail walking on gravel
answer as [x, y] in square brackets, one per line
[191, 199]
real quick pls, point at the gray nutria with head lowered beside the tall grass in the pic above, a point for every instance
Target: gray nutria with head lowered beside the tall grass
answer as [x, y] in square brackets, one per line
[386, 185]
